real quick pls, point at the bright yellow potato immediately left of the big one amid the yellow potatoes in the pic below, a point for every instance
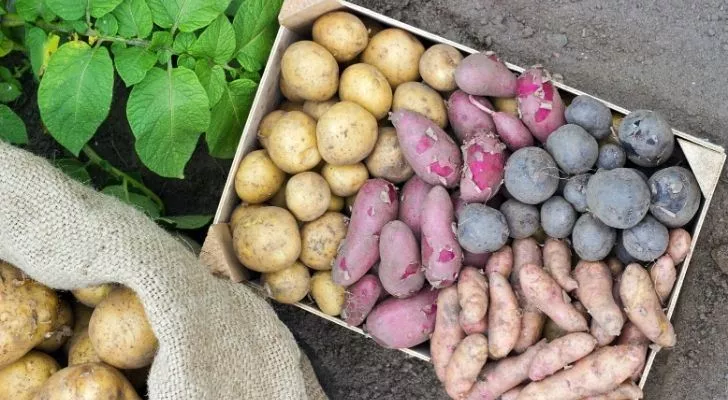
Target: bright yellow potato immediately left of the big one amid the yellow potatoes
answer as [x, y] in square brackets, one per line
[292, 143]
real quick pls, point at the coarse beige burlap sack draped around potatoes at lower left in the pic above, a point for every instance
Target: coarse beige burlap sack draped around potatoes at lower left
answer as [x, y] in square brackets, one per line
[217, 340]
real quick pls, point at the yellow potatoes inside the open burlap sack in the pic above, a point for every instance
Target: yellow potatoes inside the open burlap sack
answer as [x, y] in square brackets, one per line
[100, 334]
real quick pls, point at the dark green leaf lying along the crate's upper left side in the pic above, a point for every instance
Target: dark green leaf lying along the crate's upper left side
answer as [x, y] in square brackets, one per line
[230, 113]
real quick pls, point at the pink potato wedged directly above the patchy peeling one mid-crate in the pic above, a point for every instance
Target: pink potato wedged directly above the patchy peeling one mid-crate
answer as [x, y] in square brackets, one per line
[466, 115]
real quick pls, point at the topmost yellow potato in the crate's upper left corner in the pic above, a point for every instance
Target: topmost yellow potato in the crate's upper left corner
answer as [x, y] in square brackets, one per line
[342, 34]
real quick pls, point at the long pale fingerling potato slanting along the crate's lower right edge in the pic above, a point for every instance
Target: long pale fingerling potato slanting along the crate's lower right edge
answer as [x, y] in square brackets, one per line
[643, 306]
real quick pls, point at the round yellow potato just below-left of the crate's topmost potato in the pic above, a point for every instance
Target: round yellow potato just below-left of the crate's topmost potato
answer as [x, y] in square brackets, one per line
[310, 71]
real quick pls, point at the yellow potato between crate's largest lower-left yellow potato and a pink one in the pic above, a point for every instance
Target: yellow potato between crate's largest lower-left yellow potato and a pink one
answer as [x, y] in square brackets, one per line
[320, 240]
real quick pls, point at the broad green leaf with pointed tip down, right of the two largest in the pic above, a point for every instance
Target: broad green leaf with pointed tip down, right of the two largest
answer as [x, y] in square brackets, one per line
[167, 111]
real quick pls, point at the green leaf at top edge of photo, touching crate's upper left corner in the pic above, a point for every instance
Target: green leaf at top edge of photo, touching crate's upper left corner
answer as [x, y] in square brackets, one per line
[256, 26]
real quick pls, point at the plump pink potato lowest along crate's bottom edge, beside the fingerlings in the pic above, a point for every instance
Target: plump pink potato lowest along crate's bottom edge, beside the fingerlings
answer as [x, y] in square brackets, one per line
[401, 323]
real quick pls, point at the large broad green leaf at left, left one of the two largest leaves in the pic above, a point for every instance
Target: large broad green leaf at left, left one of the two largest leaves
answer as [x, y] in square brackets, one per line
[74, 96]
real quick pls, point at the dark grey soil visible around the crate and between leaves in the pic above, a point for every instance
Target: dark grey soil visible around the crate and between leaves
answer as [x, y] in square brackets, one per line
[666, 56]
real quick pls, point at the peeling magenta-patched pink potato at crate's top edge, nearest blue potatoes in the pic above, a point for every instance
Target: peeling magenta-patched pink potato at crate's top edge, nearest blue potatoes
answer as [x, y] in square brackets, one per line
[539, 103]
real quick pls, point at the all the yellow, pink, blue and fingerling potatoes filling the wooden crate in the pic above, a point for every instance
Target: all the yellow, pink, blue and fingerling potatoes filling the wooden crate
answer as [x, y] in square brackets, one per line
[496, 224]
